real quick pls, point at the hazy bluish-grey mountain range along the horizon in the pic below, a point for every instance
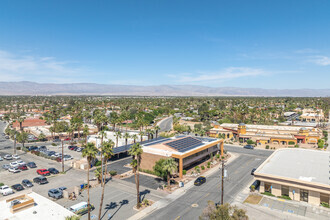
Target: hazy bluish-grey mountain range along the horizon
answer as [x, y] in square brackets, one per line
[32, 88]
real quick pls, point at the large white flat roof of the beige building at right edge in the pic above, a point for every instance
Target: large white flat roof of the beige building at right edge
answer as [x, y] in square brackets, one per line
[300, 164]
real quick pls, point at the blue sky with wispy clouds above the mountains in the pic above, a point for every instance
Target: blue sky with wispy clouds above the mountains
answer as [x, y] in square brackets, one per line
[254, 44]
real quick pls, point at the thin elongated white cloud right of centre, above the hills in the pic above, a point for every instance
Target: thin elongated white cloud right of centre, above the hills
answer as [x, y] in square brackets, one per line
[225, 74]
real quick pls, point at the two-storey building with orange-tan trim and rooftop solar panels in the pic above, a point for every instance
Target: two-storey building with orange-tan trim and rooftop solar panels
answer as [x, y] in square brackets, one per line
[186, 151]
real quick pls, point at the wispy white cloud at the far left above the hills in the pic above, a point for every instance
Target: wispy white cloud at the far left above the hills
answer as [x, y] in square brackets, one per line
[40, 69]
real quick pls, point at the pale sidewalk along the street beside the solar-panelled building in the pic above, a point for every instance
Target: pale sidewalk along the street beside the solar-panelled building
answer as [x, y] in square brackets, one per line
[176, 194]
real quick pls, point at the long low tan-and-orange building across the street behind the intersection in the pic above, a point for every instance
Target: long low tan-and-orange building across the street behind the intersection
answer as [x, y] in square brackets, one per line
[268, 134]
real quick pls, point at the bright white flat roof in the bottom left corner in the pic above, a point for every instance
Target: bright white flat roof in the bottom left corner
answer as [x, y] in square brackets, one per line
[43, 209]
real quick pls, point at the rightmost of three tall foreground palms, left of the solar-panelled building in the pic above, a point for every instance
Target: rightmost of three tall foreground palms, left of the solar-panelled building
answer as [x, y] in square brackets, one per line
[136, 152]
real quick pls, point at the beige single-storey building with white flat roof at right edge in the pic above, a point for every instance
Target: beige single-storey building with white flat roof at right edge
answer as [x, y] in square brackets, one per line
[301, 174]
